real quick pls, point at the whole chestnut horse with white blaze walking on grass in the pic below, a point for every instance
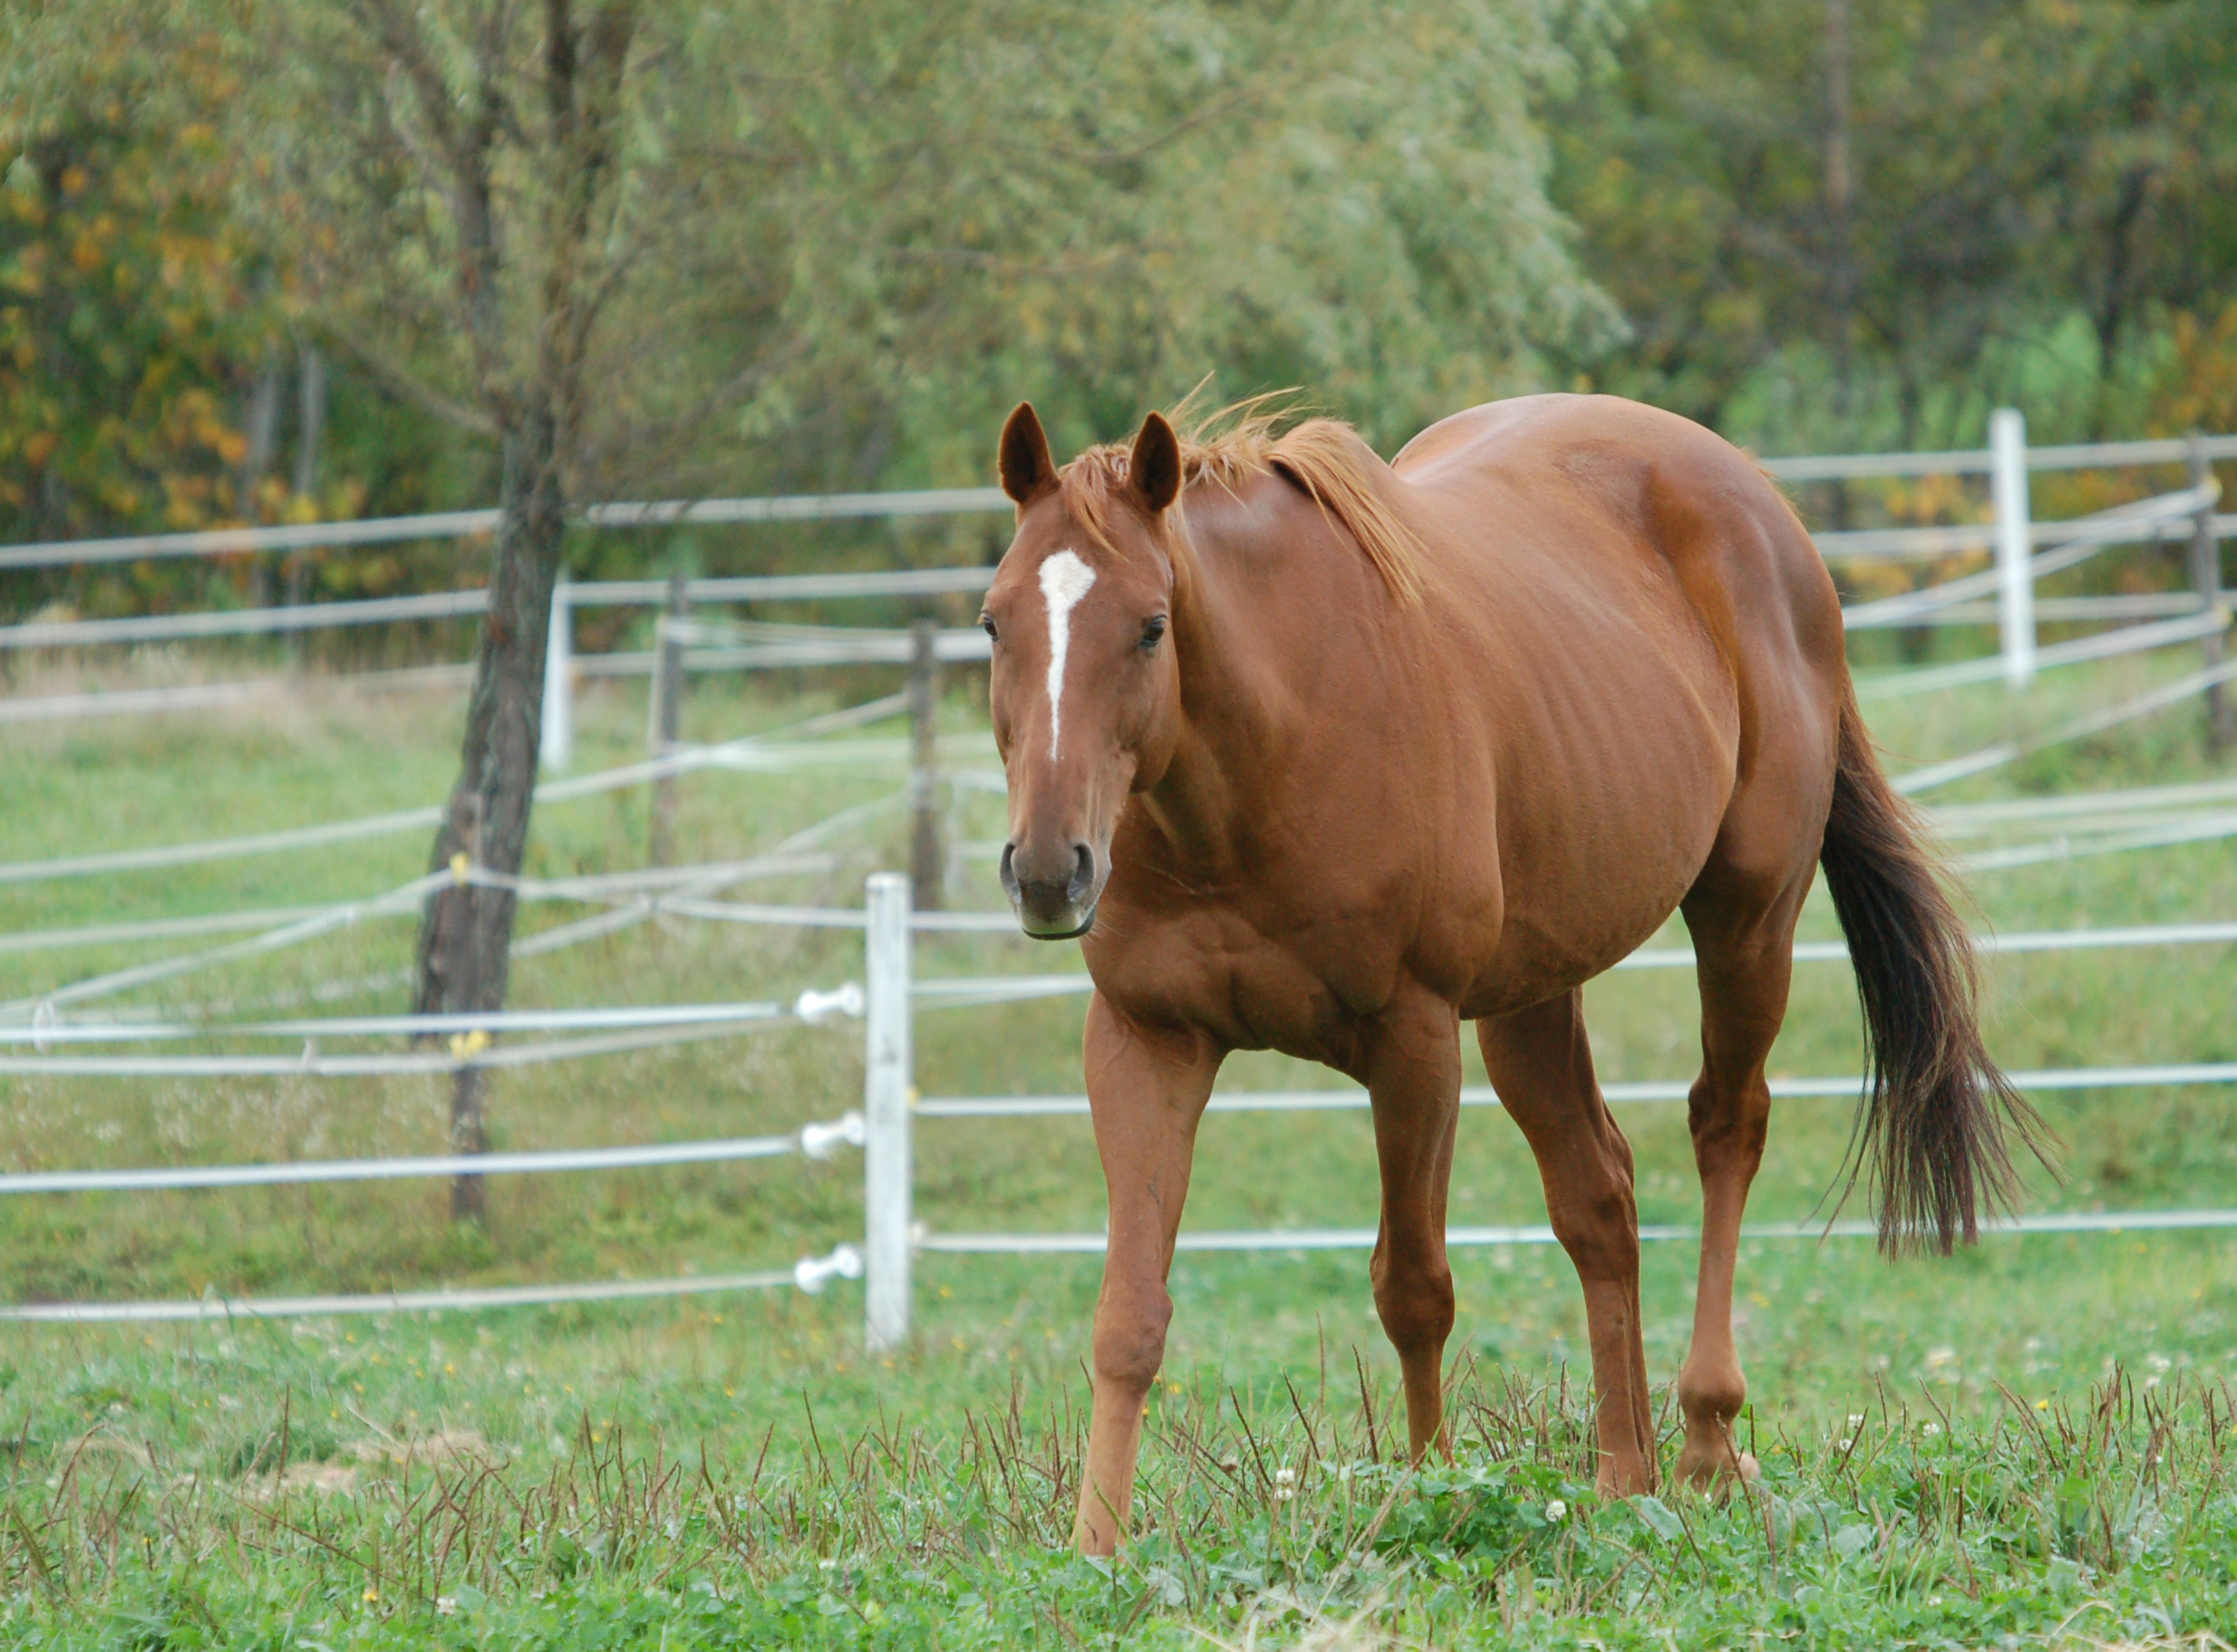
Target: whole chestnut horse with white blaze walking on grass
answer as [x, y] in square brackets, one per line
[1323, 754]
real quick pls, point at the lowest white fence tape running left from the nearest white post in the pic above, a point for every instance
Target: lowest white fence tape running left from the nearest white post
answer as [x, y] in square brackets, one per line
[811, 1275]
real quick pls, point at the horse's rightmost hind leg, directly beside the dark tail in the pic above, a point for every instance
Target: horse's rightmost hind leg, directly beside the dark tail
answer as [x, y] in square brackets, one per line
[1744, 947]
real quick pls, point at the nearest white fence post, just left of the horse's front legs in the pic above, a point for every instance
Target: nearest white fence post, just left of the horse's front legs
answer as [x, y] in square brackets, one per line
[885, 1108]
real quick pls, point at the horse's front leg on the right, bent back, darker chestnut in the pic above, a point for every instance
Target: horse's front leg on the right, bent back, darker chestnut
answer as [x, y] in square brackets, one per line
[1415, 1088]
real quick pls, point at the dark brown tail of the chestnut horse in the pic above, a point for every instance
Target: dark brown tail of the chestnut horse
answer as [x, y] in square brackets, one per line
[1932, 1130]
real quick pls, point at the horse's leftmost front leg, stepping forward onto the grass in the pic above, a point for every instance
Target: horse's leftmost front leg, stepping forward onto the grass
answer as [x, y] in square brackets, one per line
[1146, 1092]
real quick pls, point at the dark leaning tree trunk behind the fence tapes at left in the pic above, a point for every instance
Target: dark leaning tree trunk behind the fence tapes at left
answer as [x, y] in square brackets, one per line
[466, 931]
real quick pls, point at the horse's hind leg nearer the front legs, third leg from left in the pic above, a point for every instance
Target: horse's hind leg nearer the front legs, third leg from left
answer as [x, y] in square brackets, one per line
[1542, 1070]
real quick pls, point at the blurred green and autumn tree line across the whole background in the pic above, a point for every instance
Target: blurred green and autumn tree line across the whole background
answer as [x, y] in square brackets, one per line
[836, 243]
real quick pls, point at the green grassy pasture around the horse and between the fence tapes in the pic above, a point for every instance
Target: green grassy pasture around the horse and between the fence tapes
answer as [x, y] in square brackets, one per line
[2021, 1443]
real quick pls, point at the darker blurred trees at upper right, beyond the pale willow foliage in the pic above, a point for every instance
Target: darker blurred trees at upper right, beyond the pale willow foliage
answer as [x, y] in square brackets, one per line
[2012, 205]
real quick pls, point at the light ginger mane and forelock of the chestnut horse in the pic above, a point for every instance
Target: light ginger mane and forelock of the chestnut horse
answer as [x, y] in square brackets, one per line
[1229, 446]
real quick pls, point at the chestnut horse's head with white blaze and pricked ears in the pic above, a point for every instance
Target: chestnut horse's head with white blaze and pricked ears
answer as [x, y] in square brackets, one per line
[1086, 687]
